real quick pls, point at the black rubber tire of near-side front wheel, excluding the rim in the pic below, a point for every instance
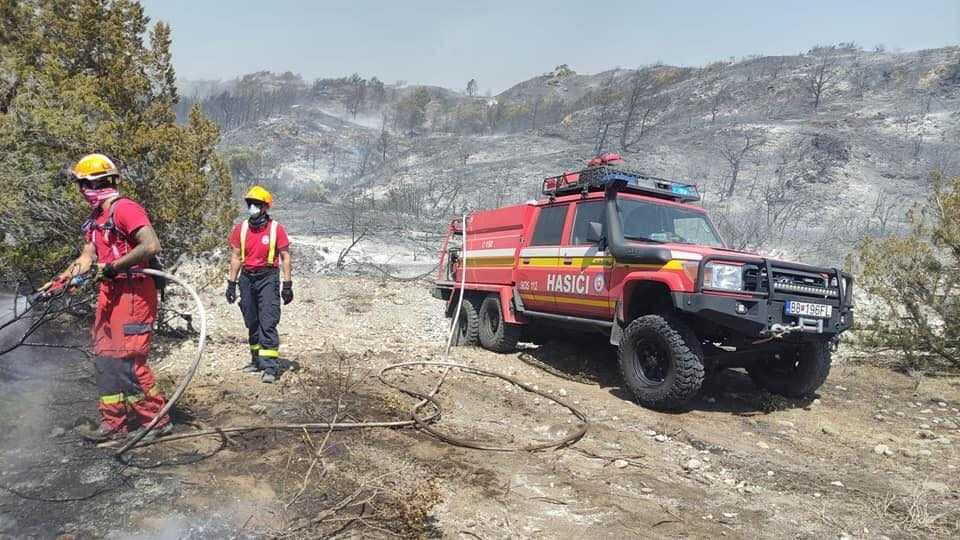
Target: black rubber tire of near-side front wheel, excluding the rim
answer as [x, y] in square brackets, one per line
[689, 371]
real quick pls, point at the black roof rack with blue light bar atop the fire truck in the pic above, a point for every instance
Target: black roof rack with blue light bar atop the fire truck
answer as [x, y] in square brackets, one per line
[598, 178]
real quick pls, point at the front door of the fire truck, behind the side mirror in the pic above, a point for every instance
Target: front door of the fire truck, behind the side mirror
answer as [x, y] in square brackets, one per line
[582, 287]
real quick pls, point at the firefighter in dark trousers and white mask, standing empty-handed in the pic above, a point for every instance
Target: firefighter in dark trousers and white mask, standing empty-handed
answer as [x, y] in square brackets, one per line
[260, 251]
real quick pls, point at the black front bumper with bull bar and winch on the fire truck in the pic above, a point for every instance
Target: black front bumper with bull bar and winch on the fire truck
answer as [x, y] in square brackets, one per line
[760, 310]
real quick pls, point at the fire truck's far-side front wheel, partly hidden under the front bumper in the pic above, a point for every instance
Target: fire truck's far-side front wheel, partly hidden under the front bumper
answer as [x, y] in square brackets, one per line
[796, 372]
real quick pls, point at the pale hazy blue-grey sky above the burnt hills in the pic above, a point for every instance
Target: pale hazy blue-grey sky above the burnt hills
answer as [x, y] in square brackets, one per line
[504, 42]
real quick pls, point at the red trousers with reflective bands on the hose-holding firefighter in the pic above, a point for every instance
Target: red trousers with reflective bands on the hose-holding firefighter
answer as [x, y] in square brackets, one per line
[122, 330]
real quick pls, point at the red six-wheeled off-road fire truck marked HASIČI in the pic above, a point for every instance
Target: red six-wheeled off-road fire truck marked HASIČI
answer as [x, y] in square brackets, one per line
[630, 255]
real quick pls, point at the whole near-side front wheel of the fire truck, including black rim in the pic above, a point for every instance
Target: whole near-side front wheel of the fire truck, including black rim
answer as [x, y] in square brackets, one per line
[661, 361]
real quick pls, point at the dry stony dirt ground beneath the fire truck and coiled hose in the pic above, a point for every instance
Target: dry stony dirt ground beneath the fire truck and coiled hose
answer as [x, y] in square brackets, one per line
[741, 463]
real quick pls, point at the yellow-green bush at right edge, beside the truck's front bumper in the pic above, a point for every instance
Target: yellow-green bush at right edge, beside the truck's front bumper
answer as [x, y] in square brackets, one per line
[914, 280]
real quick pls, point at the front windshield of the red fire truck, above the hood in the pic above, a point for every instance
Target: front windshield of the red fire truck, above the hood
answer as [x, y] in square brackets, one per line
[643, 220]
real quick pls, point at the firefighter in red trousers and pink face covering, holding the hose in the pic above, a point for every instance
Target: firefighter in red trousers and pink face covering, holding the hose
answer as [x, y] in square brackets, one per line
[118, 238]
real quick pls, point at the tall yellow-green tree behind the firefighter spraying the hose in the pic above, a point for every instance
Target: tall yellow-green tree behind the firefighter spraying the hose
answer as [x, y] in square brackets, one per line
[87, 76]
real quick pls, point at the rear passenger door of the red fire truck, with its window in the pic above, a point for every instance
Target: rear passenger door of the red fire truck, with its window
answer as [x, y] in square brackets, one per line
[539, 259]
